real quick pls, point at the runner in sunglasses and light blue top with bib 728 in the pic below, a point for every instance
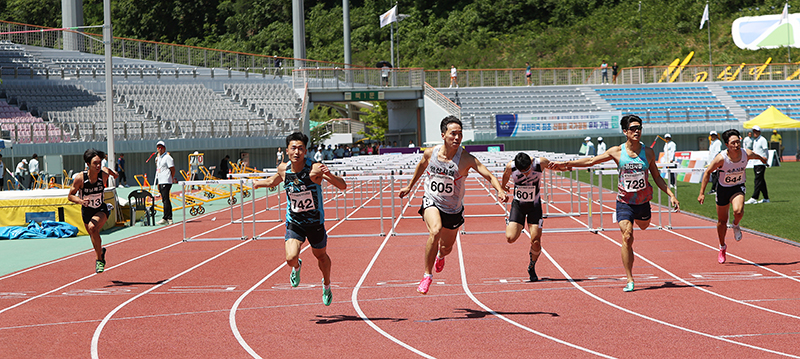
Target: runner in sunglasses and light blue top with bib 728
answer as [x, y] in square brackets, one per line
[634, 160]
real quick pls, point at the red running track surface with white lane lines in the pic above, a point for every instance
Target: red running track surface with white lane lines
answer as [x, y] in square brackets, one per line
[161, 297]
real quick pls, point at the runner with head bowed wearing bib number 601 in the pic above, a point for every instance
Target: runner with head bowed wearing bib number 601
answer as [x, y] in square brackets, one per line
[526, 175]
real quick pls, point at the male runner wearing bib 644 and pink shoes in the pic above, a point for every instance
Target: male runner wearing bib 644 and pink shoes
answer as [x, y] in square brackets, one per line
[731, 164]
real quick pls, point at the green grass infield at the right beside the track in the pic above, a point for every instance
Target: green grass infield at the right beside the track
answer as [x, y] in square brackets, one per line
[780, 218]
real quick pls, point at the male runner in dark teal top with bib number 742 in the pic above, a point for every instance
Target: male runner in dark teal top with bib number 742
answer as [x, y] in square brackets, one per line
[305, 216]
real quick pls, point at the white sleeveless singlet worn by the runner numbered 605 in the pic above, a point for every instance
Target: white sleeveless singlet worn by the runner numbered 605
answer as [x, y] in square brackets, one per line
[444, 186]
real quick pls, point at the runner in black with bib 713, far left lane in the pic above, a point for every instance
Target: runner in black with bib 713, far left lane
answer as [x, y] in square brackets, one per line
[87, 190]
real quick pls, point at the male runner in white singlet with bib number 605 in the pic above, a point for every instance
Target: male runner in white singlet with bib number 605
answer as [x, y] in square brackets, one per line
[442, 207]
